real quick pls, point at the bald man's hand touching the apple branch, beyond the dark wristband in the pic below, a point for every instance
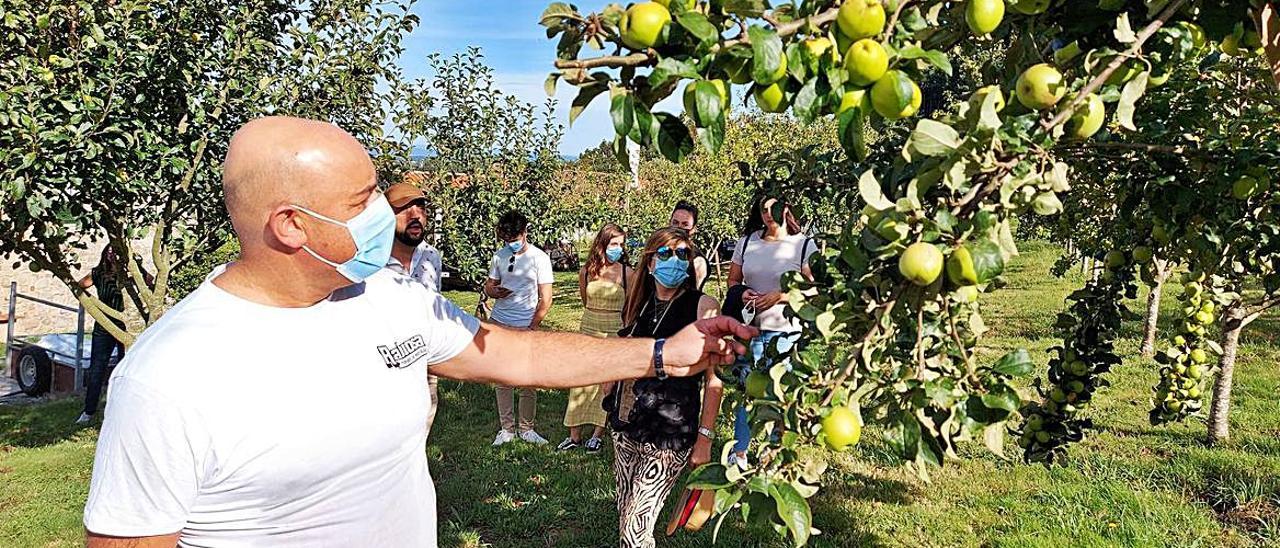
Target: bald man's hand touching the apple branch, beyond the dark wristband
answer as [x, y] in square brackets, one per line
[703, 344]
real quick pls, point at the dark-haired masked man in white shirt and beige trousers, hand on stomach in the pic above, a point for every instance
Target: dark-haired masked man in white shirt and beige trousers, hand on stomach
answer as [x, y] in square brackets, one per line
[520, 284]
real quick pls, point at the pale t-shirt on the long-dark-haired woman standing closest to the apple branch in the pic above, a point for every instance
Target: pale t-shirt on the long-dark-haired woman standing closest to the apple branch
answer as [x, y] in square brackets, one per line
[764, 264]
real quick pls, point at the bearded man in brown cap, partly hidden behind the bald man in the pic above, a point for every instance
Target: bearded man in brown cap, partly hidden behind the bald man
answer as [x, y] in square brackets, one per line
[413, 257]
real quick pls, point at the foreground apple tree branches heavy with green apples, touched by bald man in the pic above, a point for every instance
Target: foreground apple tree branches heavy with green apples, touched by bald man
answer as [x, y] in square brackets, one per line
[893, 319]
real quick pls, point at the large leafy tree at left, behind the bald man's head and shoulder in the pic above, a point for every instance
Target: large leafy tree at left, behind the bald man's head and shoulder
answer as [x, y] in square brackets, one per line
[113, 117]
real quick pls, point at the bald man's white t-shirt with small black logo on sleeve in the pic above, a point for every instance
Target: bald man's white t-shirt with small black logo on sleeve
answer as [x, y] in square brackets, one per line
[241, 424]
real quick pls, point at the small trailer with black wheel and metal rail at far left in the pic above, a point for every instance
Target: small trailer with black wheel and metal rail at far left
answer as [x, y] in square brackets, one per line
[48, 362]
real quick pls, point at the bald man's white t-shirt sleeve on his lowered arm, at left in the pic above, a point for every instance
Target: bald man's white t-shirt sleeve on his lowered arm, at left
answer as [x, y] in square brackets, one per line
[149, 464]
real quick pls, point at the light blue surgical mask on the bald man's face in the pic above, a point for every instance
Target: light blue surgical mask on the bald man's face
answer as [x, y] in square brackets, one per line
[373, 232]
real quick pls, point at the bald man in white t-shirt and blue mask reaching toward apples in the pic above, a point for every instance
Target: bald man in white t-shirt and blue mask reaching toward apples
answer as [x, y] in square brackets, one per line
[284, 403]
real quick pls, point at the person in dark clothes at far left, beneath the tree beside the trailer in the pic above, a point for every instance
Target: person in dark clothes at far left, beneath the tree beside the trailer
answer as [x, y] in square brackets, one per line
[103, 345]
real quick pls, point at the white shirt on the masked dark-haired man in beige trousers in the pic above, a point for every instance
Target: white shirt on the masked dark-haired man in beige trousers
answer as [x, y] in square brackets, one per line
[532, 270]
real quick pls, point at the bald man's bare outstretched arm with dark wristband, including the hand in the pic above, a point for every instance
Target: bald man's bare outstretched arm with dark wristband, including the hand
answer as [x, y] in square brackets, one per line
[565, 360]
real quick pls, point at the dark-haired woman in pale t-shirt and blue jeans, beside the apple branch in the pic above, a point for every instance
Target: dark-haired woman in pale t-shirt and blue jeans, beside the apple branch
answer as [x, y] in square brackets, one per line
[772, 245]
